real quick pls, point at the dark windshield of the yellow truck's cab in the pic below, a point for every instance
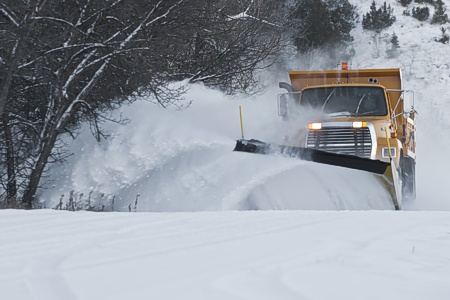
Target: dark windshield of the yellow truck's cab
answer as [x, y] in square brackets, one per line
[346, 100]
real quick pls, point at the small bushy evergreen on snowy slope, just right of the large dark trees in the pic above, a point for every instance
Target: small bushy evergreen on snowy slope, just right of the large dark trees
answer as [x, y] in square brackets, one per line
[378, 19]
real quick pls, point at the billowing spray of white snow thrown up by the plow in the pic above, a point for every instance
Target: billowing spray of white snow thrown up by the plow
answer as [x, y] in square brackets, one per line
[183, 161]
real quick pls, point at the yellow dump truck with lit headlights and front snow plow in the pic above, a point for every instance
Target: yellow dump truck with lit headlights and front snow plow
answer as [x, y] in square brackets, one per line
[359, 119]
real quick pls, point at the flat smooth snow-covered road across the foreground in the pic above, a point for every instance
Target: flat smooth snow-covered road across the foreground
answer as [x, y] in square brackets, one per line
[55, 255]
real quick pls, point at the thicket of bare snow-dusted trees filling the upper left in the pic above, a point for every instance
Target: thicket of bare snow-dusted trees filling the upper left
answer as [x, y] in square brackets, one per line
[68, 62]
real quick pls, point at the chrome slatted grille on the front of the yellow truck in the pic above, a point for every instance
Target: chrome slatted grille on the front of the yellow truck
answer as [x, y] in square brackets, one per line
[342, 140]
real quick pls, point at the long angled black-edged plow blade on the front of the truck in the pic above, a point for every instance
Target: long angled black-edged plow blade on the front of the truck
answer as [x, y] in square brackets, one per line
[383, 170]
